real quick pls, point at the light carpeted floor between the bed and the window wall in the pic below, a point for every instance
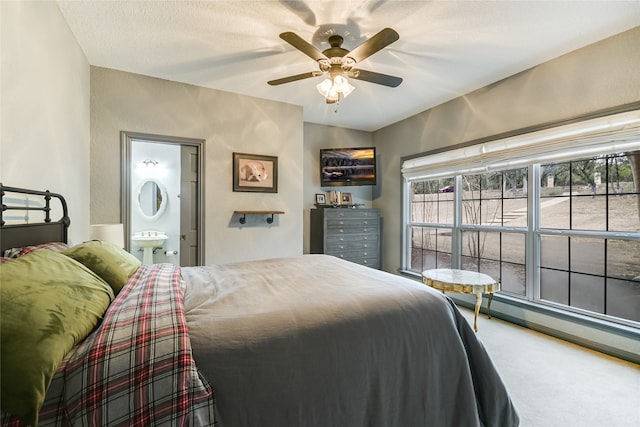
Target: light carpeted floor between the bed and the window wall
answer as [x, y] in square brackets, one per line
[554, 383]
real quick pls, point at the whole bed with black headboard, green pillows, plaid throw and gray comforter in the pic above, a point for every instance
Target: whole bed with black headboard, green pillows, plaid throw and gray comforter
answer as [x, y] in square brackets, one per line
[302, 341]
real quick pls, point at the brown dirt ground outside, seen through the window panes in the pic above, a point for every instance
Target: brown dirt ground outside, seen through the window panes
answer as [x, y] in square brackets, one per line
[583, 211]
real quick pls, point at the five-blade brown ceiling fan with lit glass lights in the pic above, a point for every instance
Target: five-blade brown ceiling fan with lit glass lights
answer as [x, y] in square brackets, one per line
[339, 63]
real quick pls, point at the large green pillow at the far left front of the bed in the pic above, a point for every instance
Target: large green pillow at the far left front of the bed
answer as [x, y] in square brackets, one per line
[48, 303]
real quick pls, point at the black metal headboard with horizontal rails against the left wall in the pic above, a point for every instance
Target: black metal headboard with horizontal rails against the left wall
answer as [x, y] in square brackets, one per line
[19, 235]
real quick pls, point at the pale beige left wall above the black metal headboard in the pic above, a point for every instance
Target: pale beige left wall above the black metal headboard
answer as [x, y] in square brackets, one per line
[44, 108]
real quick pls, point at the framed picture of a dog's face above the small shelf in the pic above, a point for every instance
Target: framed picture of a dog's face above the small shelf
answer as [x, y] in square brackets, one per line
[255, 173]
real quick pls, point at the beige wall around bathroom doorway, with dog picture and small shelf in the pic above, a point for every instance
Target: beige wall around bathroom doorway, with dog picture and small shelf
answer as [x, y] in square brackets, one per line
[228, 123]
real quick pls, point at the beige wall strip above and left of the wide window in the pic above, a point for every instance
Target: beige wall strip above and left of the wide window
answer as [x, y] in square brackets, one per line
[599, 76]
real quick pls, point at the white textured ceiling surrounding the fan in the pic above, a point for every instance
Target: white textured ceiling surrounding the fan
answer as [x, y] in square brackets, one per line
[446, 48]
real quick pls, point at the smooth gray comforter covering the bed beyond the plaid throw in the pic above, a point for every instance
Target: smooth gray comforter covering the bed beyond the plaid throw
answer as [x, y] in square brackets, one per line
[317, 341]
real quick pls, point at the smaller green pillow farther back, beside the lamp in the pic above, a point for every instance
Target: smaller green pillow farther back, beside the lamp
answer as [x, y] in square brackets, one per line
[107, 260]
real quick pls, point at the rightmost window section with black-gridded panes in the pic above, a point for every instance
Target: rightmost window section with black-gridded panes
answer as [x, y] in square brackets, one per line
[597, 269]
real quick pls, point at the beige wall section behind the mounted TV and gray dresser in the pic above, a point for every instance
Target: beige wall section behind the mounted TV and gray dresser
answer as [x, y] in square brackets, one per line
[319, 136]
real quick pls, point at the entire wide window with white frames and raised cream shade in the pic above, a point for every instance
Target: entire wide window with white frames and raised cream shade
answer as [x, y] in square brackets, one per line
[563, 232]
